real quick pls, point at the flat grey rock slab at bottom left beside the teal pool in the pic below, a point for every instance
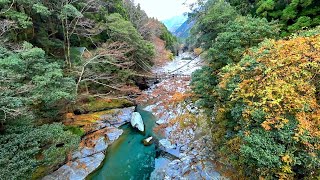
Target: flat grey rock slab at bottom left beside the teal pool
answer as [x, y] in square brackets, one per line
[77, 170]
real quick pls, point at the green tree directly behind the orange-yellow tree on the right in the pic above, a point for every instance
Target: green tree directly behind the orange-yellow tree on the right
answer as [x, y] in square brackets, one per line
[228, 48]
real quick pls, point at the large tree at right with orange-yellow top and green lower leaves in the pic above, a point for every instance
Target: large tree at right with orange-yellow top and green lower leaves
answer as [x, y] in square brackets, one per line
[267, 121]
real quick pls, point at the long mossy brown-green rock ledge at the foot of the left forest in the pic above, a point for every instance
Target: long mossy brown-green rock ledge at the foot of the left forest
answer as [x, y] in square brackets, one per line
[96, 105]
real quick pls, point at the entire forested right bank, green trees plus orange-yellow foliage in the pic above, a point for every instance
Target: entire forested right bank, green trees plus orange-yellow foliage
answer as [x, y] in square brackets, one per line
[260, 85]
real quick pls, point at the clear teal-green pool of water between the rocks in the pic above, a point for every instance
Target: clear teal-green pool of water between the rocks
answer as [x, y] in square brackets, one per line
[127, 158]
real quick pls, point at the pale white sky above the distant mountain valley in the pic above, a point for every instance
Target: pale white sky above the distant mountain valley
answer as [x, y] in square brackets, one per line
[163, 9]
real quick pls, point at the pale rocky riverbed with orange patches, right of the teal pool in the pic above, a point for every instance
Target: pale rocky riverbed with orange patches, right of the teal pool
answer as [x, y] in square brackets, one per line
[182, 124]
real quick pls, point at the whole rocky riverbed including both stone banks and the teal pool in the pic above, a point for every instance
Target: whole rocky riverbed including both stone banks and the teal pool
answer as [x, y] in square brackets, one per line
[113, 149]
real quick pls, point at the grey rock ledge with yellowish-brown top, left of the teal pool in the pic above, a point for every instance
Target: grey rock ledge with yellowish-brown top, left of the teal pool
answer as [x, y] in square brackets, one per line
[102, 130]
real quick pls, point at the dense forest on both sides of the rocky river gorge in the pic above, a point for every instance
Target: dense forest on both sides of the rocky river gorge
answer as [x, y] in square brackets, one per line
[259, 86]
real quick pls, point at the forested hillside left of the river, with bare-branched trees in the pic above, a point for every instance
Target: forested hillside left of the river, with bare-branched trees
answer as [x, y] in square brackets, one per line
[53, 53]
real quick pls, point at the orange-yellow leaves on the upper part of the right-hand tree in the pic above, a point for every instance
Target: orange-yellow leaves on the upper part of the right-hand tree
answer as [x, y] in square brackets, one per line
[281, 84]
